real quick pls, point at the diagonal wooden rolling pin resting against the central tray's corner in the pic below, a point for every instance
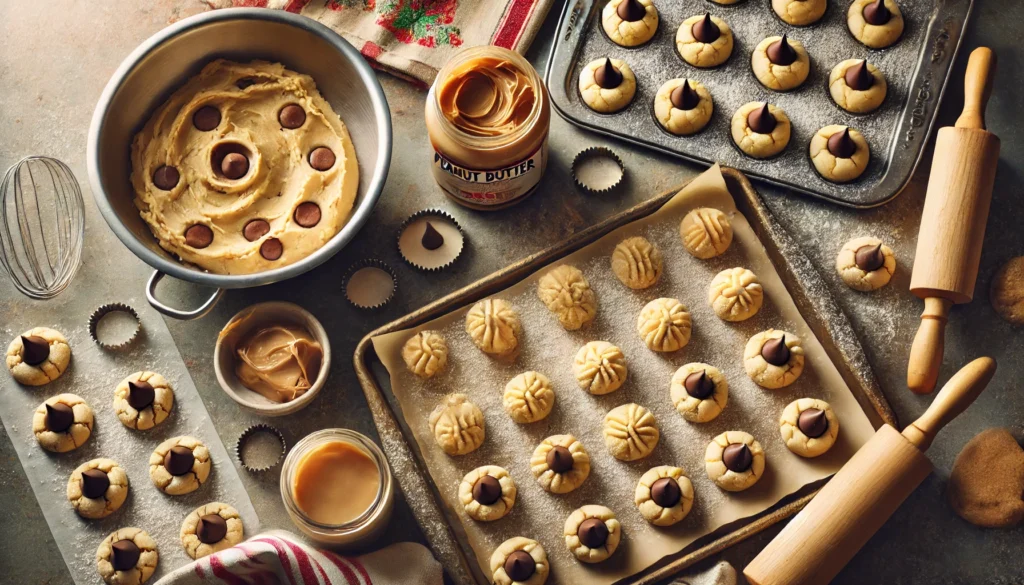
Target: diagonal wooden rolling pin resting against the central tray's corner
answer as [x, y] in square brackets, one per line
[826, 535]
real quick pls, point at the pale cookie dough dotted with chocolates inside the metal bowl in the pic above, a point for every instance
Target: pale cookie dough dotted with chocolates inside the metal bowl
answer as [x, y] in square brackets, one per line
[246, 169]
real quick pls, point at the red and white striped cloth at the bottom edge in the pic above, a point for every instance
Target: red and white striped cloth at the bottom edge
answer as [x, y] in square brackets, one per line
[279, 557]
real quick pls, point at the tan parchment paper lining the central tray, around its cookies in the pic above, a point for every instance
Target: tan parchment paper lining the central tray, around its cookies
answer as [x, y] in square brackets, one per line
[545, 347]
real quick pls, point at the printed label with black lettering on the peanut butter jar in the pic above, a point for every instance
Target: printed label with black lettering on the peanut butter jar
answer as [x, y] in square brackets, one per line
[491, 187]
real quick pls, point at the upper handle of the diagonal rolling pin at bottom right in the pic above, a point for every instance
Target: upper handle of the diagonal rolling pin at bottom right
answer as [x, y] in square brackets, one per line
[954, 399]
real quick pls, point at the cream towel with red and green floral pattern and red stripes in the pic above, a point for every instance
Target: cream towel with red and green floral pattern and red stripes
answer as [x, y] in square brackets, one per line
[413, 39]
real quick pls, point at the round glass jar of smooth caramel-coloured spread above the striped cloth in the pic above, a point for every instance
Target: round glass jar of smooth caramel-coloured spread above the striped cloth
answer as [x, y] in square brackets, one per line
[337, 487]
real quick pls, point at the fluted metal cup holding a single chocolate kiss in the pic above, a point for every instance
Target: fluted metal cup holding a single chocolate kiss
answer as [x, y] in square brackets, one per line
[431, 240]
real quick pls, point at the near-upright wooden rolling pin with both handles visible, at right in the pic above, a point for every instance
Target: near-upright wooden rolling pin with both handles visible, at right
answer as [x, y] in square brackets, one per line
[953, 226]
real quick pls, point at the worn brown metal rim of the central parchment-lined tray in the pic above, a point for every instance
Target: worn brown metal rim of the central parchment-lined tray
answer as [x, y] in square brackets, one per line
[442, 527]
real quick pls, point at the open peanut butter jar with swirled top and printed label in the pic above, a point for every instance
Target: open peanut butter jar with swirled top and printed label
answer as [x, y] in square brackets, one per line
[488, 117]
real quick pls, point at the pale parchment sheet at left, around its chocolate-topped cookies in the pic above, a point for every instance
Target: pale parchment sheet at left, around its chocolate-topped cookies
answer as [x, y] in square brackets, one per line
[94, 374]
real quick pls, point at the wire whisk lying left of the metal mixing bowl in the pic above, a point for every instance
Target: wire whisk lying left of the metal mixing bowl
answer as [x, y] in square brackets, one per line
[42, 226]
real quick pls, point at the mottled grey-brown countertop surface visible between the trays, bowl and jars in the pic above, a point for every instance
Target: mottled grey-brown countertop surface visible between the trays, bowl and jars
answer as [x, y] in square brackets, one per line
[59, 56]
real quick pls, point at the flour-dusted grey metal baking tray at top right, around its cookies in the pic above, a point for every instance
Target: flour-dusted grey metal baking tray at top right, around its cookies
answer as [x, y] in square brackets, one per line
[917, 69]
